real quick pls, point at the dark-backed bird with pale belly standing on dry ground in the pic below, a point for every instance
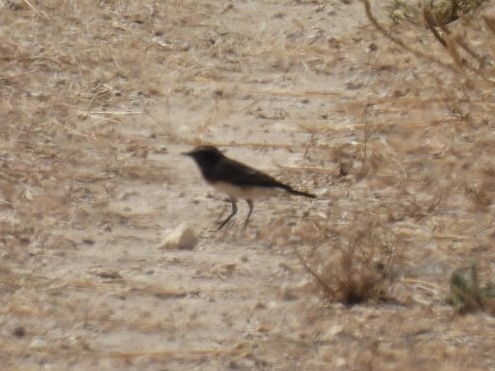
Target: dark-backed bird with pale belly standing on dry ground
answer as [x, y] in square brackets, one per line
[237, 180]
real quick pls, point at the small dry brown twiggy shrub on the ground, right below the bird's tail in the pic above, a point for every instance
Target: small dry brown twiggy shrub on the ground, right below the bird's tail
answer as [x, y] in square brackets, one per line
[353, 262]
